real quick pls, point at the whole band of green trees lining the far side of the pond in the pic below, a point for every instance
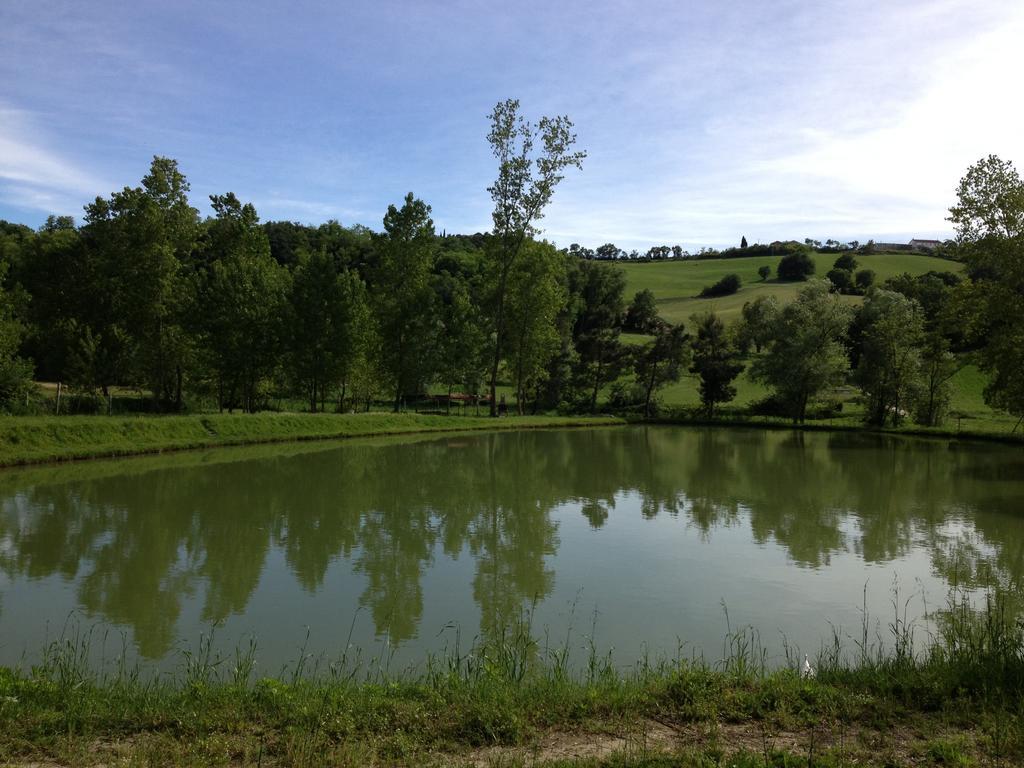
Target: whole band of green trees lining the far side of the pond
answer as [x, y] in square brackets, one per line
[232, 311]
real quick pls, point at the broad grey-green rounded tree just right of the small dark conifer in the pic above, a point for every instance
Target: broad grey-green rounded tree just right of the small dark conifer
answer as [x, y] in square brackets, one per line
[806, 354]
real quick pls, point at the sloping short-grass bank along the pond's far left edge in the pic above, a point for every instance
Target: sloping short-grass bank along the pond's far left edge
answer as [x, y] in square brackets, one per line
[46, 439]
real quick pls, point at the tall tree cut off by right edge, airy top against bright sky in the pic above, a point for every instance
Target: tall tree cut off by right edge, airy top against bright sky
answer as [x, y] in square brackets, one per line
[990, 224]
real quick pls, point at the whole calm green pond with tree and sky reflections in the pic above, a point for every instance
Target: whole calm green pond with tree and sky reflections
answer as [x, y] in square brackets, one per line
[638, 540]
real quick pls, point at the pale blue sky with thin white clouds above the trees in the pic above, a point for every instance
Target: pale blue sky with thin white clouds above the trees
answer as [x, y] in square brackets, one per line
[703, 121]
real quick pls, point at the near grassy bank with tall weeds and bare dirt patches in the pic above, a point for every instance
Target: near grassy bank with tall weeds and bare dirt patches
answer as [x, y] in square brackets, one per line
[513, 703]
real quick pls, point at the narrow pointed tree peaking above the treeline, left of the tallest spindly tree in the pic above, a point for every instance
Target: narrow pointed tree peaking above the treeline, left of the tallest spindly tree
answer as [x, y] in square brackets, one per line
[404, 298]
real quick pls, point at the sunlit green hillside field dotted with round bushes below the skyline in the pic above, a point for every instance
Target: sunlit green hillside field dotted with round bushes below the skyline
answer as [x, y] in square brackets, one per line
[677, 284]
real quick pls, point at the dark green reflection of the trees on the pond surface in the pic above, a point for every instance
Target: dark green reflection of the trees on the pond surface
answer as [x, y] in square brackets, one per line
[141, 541]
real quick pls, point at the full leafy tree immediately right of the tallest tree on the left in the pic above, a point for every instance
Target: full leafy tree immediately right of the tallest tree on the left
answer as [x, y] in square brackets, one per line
[242, 305]
